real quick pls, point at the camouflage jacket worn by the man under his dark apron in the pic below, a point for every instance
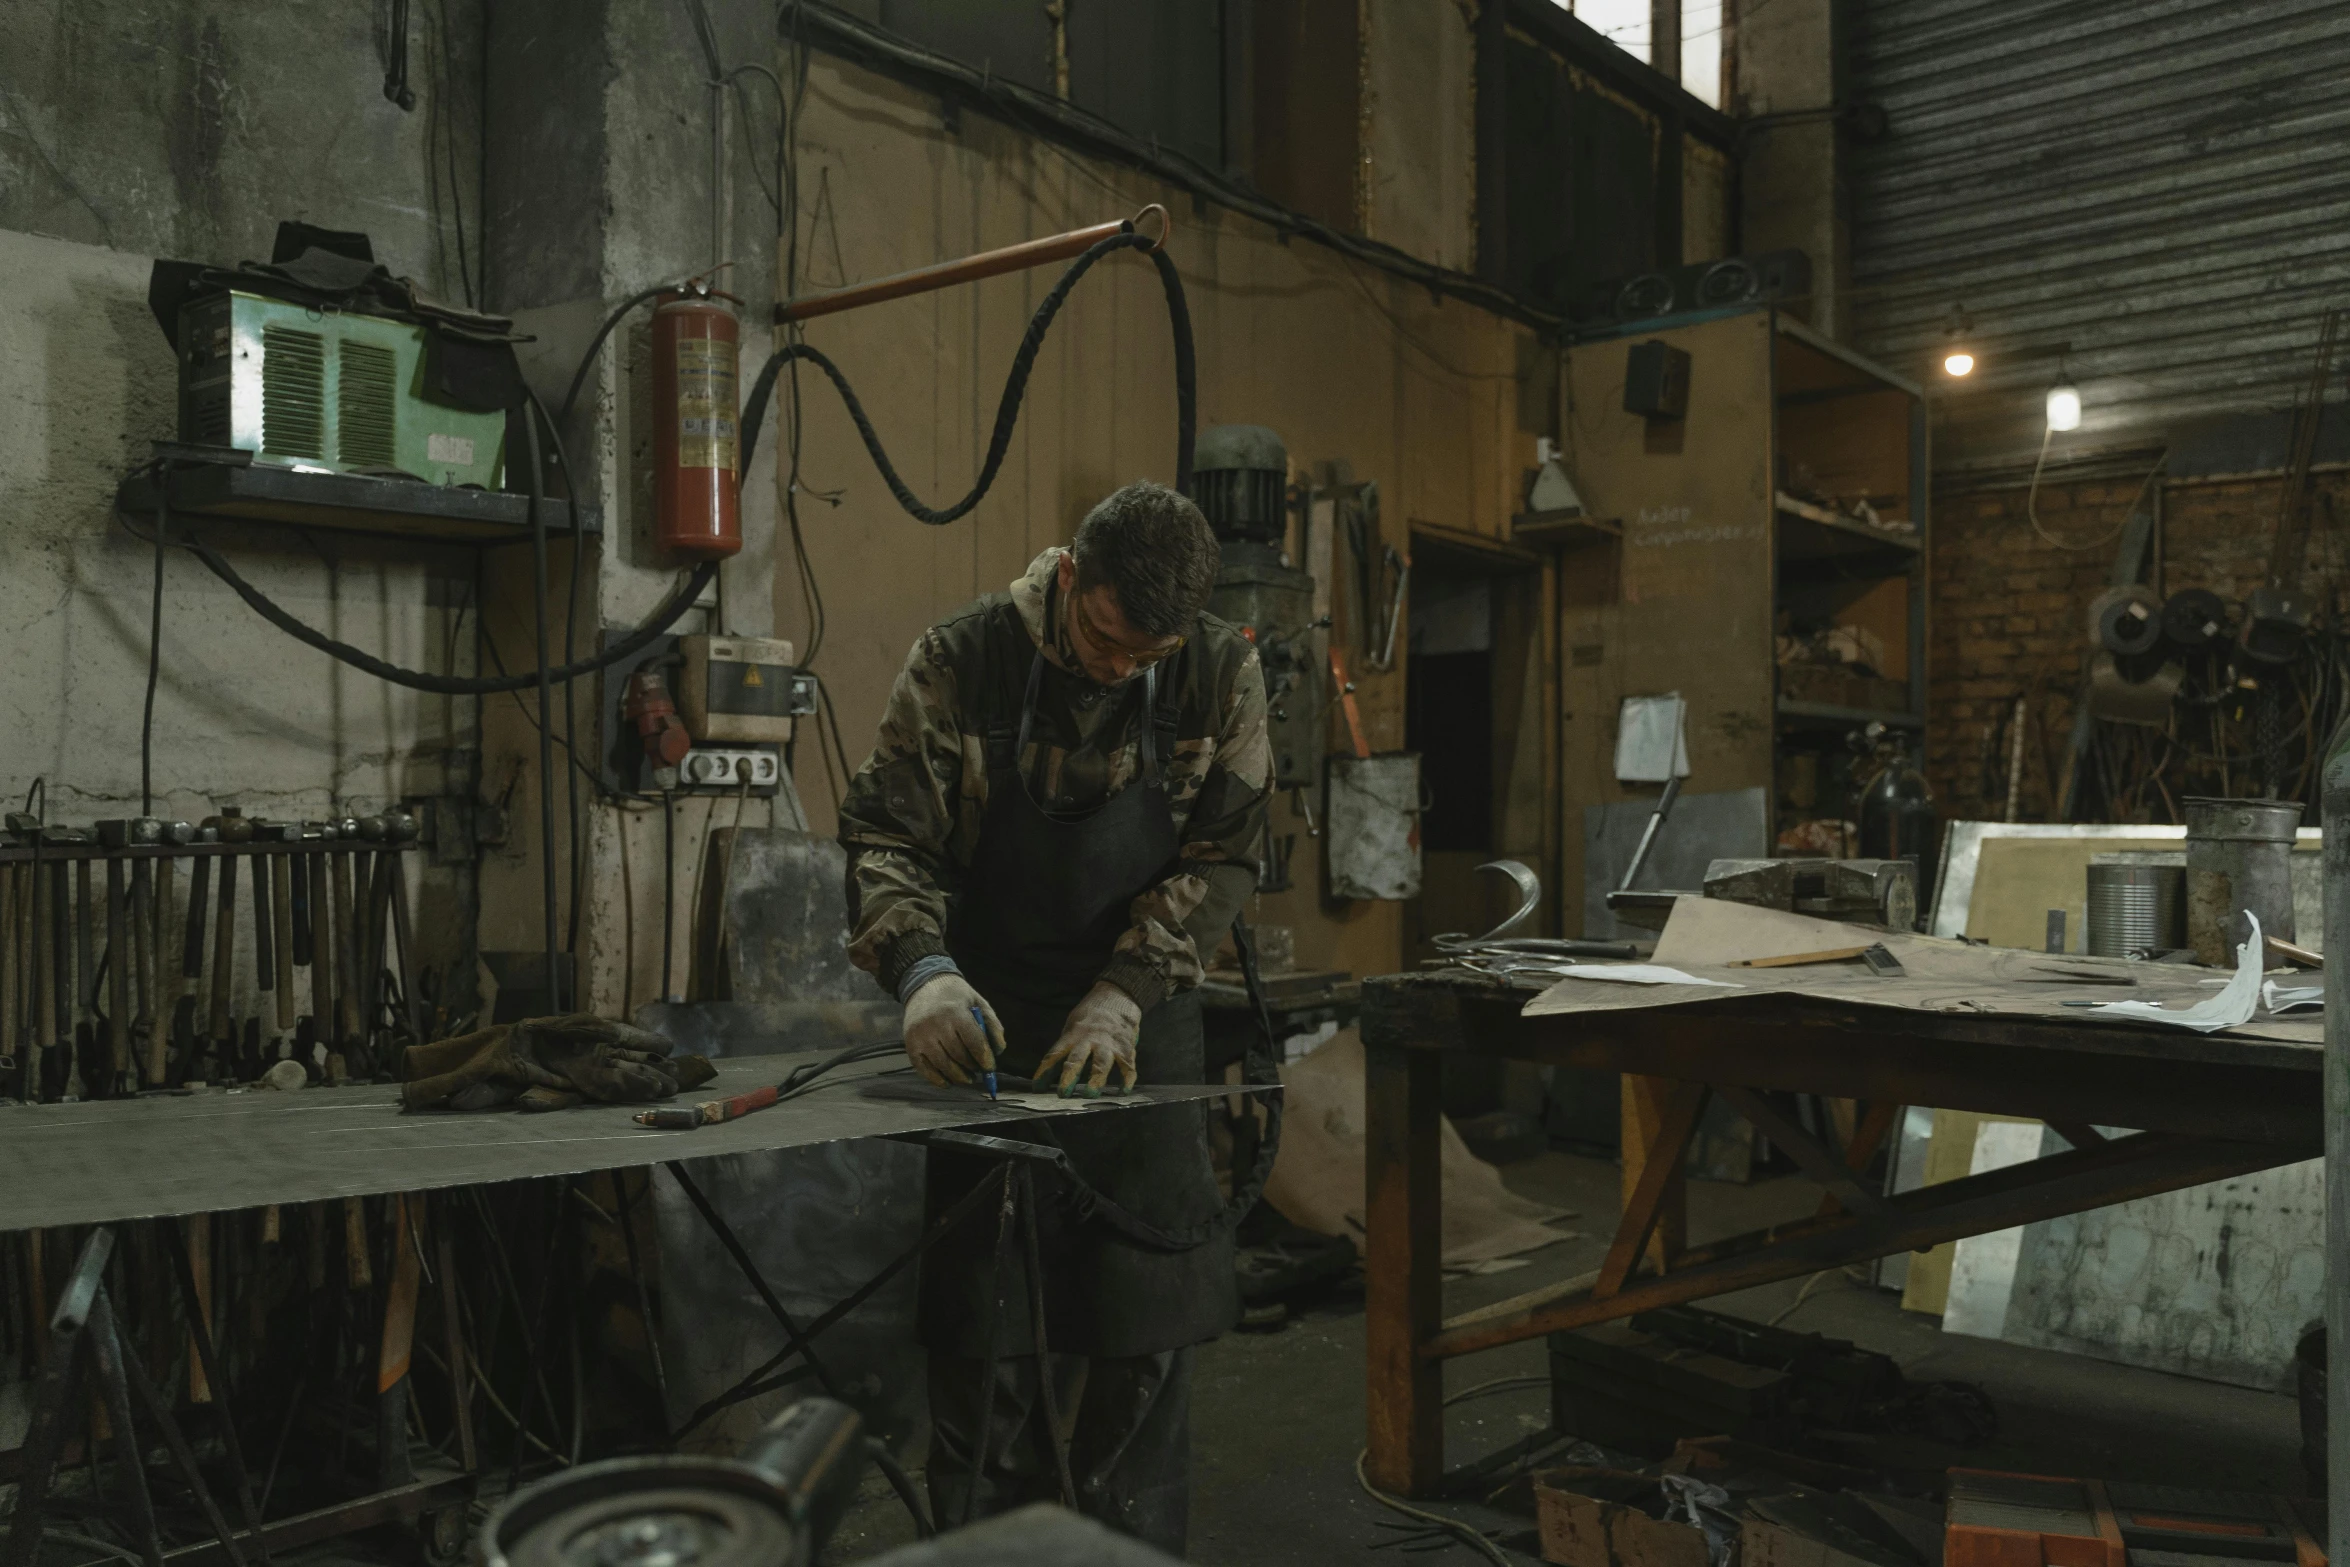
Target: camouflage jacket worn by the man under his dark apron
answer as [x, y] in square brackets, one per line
[913, 814]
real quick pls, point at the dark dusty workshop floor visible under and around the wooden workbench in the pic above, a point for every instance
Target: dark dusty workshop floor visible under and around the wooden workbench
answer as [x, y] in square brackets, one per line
[1280, 1415]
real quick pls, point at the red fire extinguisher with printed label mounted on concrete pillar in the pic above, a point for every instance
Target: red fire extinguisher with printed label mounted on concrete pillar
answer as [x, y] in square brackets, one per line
[697, 438]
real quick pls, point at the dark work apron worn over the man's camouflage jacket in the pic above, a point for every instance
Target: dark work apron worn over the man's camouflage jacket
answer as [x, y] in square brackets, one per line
[1035, 924]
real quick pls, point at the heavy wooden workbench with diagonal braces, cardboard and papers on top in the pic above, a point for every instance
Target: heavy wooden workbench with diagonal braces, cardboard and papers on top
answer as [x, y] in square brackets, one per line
[2208, 1108]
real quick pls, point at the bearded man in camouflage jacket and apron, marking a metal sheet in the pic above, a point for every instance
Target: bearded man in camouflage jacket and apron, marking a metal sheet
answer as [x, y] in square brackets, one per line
[1052, 835]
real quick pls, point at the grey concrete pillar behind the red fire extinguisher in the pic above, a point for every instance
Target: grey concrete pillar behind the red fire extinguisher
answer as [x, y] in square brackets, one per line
[600, 184]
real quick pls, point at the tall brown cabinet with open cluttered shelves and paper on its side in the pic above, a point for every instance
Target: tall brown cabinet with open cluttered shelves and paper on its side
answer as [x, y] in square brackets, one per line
[1771, 570]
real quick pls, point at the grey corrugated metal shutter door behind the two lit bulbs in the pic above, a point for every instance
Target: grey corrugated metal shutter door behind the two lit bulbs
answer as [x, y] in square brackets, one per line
[2163, 184]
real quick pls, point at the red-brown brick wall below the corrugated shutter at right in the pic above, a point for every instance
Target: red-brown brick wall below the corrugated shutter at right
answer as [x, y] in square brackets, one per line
[2010, 619]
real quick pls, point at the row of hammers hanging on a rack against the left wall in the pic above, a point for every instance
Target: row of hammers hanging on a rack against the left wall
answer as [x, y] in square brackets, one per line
[88, 1000]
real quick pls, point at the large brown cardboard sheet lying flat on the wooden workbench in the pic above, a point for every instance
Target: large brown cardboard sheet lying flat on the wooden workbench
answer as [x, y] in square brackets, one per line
[1942, 976]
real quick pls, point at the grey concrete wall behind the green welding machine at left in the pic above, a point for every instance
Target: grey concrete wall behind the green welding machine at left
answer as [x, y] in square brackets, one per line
[189, 130]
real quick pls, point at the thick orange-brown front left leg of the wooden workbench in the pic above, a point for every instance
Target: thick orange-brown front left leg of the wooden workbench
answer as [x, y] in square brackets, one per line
[1402, 1279]
